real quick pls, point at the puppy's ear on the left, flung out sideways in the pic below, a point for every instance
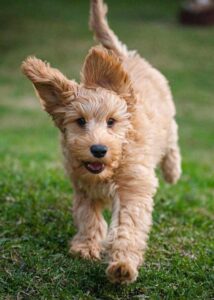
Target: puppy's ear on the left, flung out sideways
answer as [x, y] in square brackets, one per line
[54, 89]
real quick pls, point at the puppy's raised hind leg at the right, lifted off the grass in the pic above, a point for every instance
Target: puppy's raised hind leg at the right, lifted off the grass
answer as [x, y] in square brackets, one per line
[171, 162]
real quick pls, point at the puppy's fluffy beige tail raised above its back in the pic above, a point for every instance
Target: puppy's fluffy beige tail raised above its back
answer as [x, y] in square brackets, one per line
[99, 24]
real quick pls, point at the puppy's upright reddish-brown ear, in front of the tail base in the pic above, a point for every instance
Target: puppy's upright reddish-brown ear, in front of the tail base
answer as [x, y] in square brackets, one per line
[103, 68]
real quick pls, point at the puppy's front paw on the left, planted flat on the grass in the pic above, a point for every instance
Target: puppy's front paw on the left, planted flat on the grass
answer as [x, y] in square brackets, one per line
[87, 250]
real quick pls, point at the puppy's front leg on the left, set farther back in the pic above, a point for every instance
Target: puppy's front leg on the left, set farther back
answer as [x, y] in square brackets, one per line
[91, 227]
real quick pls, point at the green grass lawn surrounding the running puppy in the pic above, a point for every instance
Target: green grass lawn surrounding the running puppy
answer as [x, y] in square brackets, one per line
[36, 197]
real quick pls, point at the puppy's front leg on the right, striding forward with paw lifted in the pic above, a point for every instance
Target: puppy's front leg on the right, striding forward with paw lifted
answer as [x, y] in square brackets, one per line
[131, 221]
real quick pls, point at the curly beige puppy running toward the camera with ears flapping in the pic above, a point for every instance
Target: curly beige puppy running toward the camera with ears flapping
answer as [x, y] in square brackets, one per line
[116, 126]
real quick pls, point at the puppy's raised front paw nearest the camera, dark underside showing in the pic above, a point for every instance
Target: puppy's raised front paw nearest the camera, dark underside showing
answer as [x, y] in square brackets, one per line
[121, 272]
